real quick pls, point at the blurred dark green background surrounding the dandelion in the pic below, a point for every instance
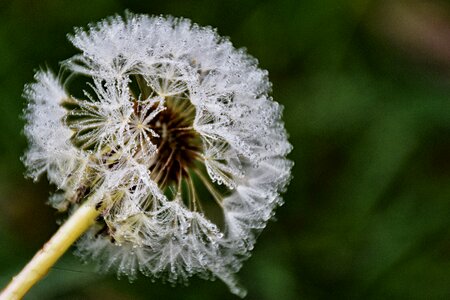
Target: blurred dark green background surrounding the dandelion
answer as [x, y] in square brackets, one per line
[366, 90]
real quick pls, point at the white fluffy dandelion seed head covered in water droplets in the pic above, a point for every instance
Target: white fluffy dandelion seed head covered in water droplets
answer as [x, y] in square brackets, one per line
[171, 131]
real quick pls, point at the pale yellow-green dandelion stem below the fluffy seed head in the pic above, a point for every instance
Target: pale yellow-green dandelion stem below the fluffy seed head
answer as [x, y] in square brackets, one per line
[45, 258]
